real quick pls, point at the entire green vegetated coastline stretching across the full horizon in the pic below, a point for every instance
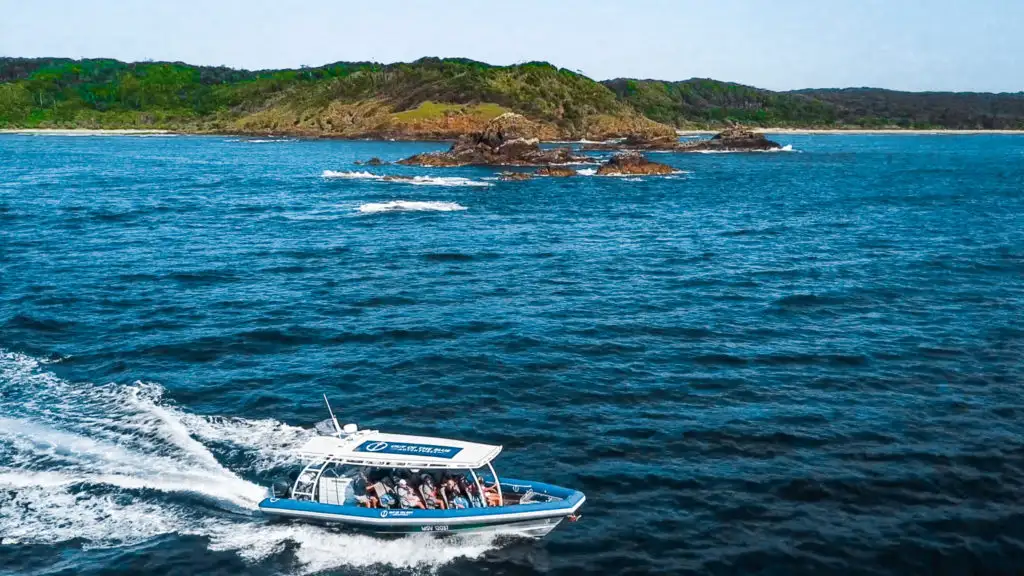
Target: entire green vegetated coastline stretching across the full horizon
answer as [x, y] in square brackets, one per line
[434, 98]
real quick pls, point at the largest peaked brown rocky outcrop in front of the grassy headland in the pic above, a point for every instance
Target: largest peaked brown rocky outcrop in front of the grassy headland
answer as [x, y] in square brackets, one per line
[507, 141]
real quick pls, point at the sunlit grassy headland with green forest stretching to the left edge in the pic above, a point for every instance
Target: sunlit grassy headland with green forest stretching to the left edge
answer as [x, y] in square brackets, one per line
[431, 98]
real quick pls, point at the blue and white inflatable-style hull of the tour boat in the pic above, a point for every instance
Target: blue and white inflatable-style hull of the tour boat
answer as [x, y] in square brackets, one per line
[527, 520]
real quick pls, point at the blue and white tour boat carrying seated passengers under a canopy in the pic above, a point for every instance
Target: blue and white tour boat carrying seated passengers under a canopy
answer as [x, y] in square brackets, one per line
[398, 484]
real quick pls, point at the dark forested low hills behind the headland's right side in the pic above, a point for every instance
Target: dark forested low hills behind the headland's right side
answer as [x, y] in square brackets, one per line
[702, 103]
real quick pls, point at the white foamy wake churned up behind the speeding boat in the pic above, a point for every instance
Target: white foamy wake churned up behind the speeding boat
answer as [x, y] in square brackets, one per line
[114, 466]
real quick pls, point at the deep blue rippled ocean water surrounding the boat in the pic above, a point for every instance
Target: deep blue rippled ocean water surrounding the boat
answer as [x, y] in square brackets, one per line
[807, 362]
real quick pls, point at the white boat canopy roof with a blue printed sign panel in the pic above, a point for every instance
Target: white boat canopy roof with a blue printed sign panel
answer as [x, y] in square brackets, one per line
[371, 448]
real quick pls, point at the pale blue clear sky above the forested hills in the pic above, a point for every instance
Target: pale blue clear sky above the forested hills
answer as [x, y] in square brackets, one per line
[903, 45]
